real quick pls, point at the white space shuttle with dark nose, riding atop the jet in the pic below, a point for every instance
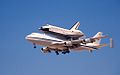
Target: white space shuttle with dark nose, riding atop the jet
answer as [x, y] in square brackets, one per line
[72, 32]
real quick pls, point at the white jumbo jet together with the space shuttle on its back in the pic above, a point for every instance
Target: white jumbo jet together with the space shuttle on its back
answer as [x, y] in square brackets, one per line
[61, 43]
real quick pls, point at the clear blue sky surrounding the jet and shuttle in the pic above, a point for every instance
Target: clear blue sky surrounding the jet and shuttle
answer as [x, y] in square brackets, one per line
[19, 18]
